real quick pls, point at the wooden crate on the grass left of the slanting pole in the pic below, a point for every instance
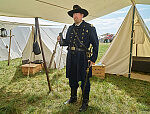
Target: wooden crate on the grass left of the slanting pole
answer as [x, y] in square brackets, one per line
[31, 68]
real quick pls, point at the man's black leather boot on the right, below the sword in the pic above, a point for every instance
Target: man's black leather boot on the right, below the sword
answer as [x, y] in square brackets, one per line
[85, 101]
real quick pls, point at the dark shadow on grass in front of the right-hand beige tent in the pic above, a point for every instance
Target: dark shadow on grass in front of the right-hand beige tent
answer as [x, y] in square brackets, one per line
[138, 89]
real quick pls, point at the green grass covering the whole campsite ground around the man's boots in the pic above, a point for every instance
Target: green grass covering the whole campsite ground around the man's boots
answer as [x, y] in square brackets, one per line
[21, 94]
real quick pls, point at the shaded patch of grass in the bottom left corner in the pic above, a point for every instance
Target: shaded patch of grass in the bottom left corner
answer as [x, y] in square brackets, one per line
[16, 102]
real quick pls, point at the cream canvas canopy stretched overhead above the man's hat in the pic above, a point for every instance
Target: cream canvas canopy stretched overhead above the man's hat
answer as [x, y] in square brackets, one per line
[56, 10]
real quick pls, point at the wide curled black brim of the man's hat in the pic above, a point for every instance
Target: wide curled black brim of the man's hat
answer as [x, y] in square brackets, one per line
[83, 11]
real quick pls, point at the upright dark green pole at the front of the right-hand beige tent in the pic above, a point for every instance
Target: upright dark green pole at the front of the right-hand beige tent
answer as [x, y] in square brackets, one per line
[131, 44]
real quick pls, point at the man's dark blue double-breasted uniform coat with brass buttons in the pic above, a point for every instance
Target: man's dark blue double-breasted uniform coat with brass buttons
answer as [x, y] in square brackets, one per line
[77, 61]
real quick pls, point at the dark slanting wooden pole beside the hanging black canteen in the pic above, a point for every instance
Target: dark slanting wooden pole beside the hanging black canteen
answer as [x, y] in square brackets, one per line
[45, 67]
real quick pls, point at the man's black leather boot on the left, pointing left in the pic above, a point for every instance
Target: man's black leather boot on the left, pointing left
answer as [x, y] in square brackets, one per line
[73, 97]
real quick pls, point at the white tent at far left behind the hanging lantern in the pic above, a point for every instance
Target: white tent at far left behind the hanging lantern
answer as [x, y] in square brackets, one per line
[18, 42]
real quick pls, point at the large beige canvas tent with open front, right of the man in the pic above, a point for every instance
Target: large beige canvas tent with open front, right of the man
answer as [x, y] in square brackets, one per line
[117, 56]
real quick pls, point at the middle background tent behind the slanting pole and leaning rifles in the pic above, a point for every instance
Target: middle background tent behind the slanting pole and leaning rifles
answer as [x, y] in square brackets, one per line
[49, 38]
